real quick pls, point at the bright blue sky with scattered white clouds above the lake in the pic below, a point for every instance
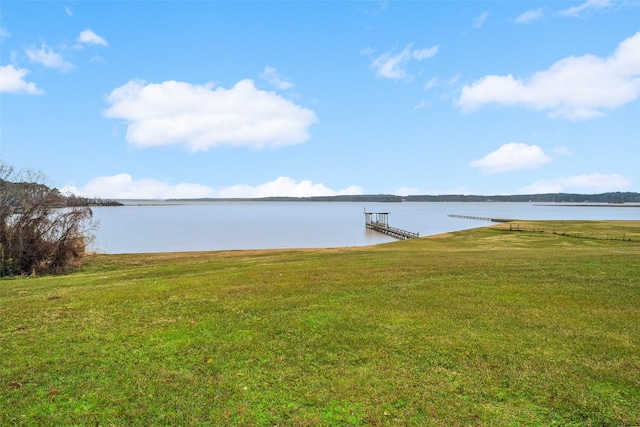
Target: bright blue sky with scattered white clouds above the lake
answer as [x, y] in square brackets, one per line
[146, 99]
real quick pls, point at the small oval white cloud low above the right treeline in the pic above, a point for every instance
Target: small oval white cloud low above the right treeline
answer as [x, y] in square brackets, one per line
[512, 157]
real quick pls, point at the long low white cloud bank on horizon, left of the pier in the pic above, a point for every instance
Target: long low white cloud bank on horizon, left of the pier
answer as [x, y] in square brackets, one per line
[124, 186]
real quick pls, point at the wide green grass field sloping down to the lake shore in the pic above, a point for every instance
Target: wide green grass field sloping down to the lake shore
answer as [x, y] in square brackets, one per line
[538, 325]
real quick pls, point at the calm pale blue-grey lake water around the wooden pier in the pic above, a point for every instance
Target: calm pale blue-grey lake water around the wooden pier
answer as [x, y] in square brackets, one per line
[204, 226]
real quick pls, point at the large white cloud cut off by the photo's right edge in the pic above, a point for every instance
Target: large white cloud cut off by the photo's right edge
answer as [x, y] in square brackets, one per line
[574, 88]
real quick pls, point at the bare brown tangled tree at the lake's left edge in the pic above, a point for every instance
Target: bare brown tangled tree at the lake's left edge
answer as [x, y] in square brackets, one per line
[39, 232]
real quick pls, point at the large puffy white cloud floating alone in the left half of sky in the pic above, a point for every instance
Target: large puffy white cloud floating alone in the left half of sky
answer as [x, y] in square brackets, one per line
[202, 117]
